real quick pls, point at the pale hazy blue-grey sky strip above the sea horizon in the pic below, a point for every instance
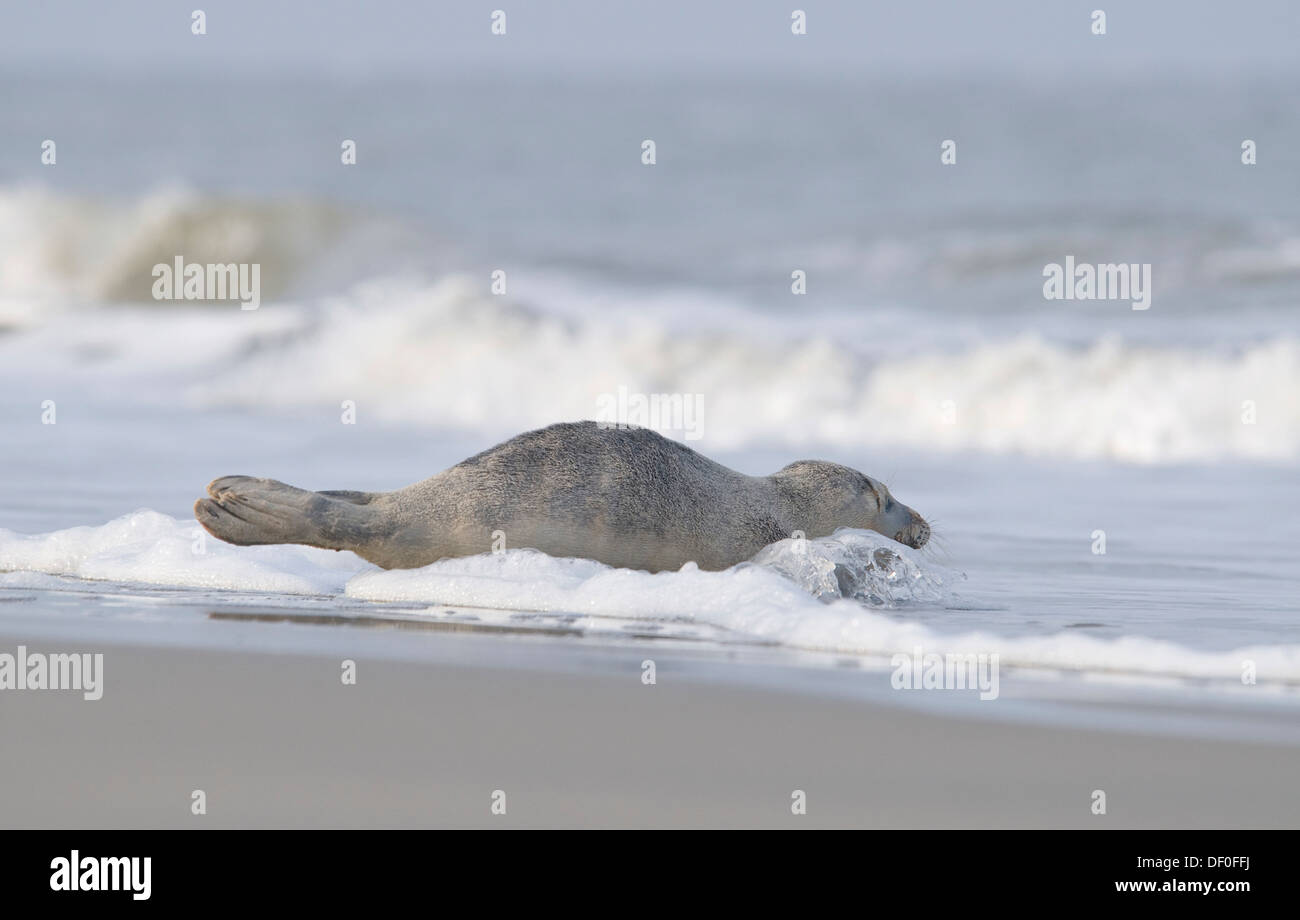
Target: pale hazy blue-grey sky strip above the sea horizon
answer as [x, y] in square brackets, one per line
[363, 38]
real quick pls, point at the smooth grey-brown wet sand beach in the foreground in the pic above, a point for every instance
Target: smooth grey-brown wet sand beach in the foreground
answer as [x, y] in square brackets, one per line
[279, 741]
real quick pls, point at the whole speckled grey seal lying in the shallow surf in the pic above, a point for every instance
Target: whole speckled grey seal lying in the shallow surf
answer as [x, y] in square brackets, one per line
[622, 496]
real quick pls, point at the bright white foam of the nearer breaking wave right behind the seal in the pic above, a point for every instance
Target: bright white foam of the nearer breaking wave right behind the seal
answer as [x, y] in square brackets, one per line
[406, 354]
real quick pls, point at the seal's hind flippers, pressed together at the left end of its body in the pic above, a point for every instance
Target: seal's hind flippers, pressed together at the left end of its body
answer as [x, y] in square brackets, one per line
[249, 511]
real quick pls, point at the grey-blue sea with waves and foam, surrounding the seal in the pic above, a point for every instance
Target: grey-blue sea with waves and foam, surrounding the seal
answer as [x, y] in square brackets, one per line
[924, 351]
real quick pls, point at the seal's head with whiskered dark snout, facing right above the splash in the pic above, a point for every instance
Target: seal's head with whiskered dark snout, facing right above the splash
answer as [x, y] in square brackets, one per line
[827, 497]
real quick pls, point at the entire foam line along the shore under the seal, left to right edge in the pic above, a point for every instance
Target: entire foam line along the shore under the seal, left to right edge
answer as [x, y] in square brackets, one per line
[755, 601]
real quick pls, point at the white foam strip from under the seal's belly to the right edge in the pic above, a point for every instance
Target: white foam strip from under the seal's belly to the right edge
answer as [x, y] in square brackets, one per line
[757, 602]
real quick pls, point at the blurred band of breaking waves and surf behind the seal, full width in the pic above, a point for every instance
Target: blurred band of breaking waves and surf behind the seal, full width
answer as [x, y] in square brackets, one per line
[443, 351]
